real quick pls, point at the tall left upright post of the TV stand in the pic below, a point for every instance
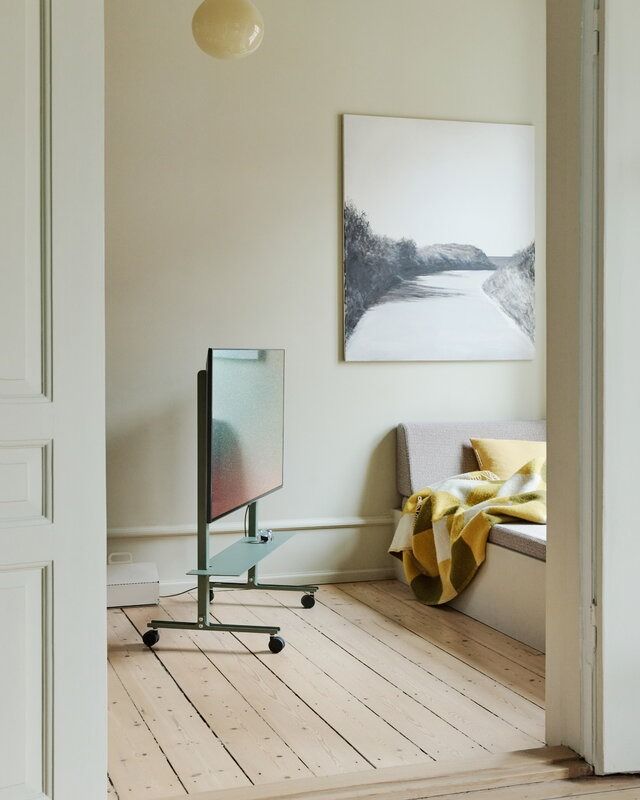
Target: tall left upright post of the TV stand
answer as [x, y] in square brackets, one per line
[204, 489]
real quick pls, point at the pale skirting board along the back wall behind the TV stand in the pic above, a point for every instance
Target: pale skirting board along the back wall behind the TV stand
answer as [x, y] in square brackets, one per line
[348, 549]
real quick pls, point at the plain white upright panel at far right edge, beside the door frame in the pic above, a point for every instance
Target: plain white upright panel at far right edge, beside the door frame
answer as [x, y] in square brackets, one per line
[620, 546]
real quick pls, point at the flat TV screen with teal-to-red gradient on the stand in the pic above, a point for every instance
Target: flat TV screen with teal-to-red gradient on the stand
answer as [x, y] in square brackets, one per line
[246, 434]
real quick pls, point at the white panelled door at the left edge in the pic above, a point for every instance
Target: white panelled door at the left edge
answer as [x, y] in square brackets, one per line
[52, 496]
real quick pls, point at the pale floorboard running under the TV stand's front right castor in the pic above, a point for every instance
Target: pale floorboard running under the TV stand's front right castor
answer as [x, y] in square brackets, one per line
[370, 735]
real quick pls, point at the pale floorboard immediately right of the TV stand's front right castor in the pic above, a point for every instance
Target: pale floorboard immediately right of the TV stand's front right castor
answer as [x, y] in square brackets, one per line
[434, 736]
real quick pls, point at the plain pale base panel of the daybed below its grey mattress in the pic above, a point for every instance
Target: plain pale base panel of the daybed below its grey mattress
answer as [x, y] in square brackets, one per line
[508, 594]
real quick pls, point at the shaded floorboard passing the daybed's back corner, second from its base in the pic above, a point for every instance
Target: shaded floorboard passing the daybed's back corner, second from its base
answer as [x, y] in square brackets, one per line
[520, 680]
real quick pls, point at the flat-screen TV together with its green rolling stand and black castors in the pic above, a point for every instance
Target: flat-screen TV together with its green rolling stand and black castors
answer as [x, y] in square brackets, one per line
[240, 460]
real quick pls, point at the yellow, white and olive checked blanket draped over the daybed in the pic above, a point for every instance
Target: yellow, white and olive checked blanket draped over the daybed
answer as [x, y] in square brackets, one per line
[442, 534]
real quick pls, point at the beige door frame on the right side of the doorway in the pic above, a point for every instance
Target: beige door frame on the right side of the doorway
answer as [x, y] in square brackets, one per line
[574, 369]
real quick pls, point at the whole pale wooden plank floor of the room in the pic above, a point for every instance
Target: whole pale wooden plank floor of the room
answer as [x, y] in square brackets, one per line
[369, 679]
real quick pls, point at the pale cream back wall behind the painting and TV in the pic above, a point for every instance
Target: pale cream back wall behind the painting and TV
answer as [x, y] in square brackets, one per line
[224, 228]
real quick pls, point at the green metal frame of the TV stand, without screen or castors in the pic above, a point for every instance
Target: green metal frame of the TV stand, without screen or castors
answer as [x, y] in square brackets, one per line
[206, 565]
